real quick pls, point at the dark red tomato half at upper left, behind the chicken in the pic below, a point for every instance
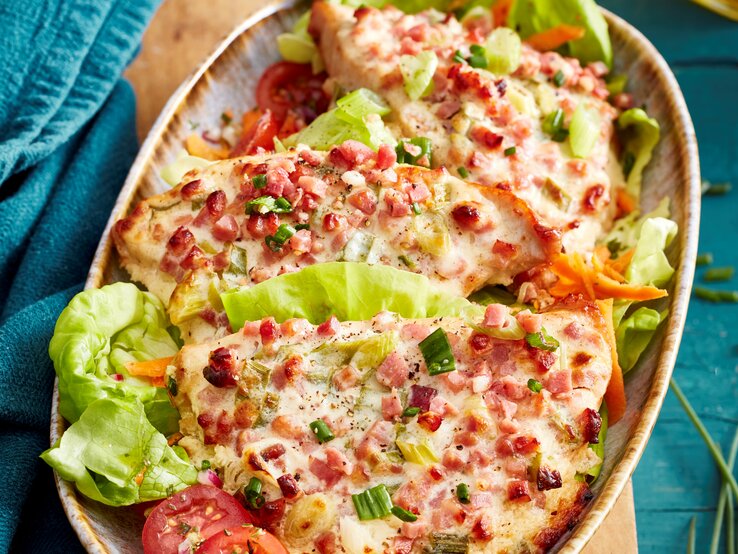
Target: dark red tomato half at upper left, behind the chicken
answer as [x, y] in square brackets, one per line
[288, 86]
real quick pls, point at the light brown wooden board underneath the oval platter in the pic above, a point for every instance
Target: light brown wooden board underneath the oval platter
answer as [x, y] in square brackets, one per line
[181, 34]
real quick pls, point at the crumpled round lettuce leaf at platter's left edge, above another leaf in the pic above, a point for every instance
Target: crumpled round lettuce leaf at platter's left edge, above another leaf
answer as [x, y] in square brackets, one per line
[96, 335]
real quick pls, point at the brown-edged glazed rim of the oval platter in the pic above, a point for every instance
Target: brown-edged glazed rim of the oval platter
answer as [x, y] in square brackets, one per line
[635, 445]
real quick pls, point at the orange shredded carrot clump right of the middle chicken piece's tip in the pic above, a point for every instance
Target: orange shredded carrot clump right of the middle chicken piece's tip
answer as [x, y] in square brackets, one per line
[596, 281]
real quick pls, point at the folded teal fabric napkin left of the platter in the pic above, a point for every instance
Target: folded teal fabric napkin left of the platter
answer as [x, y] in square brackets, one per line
[68, 139]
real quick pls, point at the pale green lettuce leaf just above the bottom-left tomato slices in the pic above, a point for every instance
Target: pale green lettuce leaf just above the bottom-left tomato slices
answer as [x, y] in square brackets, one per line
[115, 456]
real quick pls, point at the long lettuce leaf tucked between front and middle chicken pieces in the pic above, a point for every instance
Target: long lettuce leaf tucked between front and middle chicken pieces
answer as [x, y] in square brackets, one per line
[347, 290]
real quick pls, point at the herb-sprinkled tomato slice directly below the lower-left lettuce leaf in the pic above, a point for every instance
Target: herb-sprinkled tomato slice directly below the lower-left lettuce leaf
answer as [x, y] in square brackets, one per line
[203, 507]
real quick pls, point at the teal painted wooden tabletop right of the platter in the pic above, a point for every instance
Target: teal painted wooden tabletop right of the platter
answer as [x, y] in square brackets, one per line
[676, 477]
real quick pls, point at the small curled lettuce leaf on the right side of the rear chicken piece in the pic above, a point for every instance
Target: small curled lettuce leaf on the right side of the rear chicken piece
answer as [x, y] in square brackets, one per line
[639, 135]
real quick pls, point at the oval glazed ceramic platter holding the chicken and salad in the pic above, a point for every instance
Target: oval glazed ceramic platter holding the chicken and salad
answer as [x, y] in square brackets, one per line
[227, 80]
